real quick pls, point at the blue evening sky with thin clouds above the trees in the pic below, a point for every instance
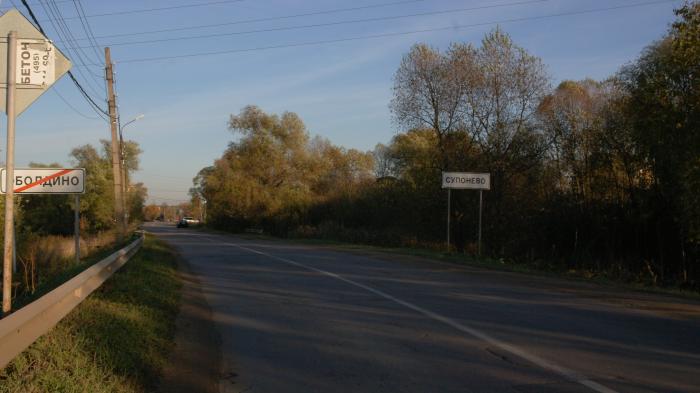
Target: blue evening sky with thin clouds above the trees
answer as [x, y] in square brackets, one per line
[332, 62]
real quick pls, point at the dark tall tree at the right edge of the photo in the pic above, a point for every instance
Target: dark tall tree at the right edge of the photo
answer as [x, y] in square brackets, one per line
[664, 92]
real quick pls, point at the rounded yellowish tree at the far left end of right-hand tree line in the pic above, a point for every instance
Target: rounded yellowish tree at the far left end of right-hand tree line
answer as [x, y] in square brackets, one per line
[263, 176]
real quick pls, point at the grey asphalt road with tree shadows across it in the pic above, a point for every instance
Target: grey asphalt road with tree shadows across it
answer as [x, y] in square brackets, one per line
[304, 318]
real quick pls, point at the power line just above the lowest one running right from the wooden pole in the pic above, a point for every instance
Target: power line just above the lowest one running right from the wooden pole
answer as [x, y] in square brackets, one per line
[346, 22]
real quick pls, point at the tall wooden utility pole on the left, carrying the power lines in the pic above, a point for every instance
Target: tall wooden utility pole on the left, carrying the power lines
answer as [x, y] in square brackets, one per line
[116, 156]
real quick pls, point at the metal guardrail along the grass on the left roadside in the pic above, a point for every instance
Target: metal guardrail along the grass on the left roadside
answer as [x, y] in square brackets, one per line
[21, 328]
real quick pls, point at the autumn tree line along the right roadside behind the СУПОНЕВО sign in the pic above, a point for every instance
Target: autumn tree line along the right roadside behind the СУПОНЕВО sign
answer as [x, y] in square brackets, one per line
[601, 176]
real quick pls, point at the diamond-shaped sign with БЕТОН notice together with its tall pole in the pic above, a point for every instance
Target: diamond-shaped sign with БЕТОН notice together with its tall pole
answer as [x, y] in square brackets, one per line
[33, 65]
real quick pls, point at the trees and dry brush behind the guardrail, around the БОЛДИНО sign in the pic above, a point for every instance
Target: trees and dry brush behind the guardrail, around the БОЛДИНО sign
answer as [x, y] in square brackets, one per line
[44, 224]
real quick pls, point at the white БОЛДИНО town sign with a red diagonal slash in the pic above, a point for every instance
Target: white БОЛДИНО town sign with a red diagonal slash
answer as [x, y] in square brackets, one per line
[46, 181]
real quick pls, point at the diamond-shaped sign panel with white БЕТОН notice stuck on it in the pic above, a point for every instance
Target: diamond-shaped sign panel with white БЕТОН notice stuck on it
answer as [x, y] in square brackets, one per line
[39, 62]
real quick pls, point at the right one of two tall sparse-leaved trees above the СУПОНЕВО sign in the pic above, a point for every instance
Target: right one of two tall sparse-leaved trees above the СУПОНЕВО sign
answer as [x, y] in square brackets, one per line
[500, 109]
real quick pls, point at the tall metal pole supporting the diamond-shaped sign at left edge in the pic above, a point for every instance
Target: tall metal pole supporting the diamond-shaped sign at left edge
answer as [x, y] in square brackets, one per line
[10, 174]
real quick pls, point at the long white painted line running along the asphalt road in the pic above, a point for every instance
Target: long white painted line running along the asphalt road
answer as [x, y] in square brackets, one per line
[545, 364]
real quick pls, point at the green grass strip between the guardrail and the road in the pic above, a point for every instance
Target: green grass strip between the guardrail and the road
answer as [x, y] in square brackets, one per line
[117, 340]
